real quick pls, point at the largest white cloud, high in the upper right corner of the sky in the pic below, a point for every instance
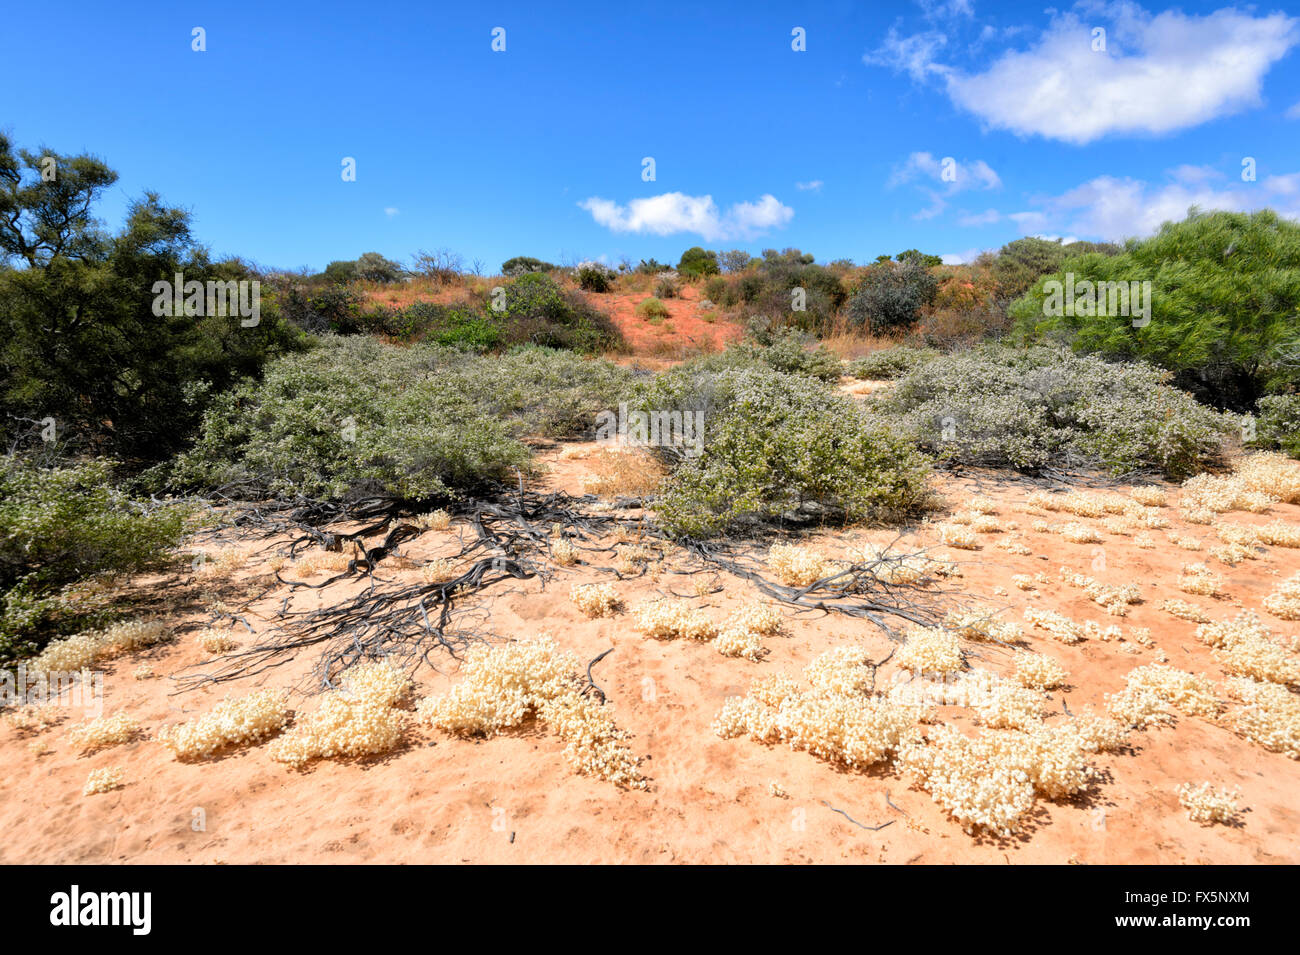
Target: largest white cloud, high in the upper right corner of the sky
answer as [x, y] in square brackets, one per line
[1159, 73]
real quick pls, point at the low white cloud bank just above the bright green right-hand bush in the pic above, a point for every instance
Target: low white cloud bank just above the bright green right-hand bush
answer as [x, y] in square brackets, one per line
[1116, 209]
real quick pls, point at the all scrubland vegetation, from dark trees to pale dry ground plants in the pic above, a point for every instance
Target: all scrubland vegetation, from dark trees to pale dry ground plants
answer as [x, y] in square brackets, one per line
[419, 402]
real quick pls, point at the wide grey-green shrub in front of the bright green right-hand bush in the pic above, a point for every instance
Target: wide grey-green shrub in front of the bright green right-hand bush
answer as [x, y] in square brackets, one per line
[1045, 407]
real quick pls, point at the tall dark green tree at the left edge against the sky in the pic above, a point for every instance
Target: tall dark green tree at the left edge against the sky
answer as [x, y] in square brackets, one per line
[80, 340]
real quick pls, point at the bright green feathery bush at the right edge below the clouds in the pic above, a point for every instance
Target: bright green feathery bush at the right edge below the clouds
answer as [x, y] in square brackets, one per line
[1225, 305]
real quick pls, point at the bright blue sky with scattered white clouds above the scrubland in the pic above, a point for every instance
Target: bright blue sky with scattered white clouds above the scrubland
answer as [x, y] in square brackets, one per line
[839, 149]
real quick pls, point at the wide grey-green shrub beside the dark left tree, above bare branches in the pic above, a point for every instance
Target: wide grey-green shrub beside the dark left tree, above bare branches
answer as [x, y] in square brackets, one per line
[418, 423]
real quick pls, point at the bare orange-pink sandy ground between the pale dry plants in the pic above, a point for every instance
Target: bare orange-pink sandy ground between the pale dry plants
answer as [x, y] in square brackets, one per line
[514, 798]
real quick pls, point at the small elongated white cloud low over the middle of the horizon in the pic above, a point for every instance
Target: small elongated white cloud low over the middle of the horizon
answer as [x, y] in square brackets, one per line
[677, 212]
